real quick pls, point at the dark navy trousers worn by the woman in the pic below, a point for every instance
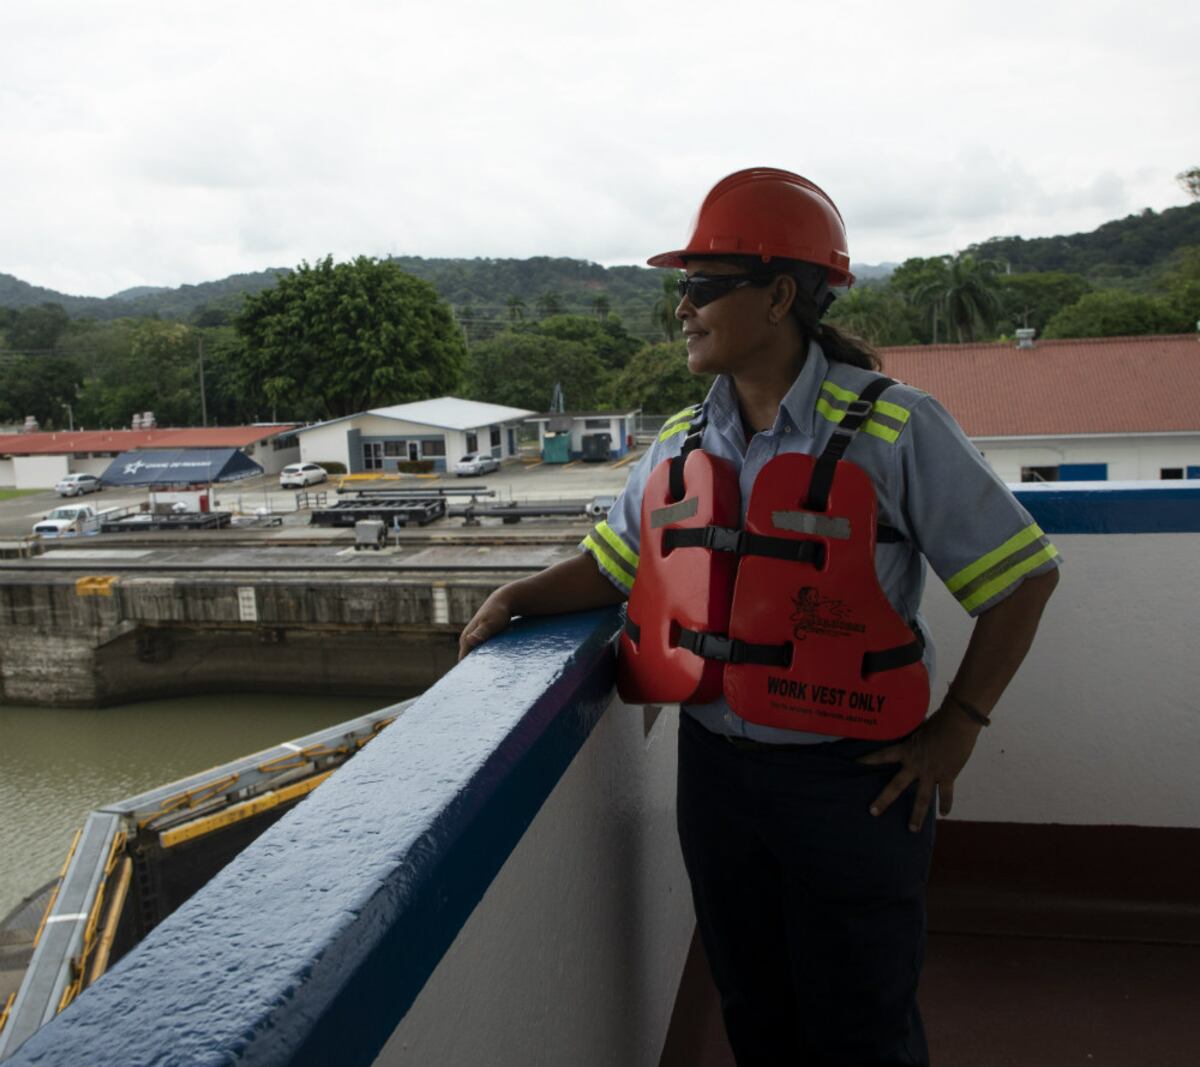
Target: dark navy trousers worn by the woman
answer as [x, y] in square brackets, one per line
[811, 910]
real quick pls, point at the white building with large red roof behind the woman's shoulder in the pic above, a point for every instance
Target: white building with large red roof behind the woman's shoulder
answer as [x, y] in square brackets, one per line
[1082, 410]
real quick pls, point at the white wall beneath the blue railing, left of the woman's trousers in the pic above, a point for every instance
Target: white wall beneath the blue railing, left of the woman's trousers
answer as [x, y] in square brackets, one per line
[575, 952]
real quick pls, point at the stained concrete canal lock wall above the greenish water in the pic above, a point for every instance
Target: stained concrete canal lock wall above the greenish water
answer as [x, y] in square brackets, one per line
[92, 642]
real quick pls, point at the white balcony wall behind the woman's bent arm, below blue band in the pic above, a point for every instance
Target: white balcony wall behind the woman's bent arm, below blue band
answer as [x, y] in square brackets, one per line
[1102, 726]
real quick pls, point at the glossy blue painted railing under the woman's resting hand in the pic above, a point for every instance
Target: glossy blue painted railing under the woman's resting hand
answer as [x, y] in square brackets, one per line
[311, 946]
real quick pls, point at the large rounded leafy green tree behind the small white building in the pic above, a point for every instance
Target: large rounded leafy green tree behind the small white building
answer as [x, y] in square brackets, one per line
[332, 340]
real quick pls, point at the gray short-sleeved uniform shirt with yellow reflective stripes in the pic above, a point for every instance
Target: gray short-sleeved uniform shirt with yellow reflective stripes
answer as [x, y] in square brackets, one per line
[931, 482]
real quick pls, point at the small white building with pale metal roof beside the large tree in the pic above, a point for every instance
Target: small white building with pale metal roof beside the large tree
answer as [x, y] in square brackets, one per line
[441, 431]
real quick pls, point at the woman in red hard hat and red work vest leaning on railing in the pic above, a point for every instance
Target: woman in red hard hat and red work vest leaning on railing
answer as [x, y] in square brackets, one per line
[808, 878]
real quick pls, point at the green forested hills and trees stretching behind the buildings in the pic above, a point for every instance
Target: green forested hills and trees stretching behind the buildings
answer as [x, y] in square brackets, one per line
[328, 339]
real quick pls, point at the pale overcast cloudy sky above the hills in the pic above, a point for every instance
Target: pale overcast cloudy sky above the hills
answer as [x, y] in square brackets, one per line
[151, 143]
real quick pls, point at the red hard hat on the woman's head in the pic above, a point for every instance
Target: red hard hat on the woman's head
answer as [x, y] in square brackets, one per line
[773, 214]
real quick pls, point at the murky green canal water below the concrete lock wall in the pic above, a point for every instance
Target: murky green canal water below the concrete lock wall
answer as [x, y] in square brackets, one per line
[57, 765]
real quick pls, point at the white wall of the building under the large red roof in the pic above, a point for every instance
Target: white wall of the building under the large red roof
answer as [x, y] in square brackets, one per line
[1133, 458]
